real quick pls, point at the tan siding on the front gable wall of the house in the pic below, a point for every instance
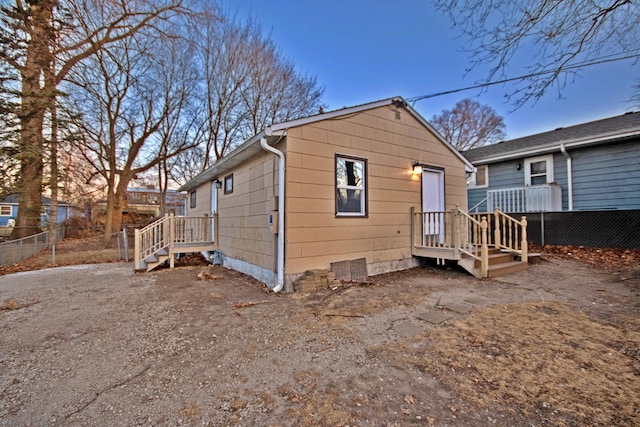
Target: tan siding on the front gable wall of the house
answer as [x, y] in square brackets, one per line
[315, 236]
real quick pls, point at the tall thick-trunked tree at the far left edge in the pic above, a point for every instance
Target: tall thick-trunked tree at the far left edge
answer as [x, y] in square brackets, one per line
[32, 35]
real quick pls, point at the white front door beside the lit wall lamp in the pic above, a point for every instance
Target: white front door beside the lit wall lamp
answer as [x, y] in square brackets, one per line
[433, 202]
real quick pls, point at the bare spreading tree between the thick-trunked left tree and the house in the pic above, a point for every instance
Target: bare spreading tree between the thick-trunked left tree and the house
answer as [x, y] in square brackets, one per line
[126, 95]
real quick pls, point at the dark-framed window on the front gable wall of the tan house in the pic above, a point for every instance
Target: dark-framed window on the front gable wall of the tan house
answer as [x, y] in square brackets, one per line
[351, 187]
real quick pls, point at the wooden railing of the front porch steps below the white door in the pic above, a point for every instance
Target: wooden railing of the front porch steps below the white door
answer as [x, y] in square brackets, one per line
[451, 234]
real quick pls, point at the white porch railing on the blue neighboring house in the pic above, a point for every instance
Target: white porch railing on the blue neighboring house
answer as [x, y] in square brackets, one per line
[535, 198]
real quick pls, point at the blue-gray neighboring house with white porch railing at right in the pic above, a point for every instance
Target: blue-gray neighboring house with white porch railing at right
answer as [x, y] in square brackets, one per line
[590, 166]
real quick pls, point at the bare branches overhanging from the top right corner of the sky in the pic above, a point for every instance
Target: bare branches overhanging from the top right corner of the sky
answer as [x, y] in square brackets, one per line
[560, 37]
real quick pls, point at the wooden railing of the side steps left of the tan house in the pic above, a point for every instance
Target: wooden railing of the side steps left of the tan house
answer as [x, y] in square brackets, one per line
[171, 232]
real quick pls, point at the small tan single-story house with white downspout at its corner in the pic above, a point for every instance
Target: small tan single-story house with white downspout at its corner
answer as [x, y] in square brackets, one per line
[352, 178]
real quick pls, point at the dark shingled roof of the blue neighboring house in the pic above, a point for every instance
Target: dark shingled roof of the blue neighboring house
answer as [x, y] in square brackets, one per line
[596, 132]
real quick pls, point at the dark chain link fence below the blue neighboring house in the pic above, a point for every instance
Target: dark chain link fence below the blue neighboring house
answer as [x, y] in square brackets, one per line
[594, 229]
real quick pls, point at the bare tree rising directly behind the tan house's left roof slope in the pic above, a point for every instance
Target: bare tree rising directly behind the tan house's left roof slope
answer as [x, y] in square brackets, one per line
[245, 86]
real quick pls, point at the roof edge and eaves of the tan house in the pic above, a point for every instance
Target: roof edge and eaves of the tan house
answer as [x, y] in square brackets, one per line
[276, 132]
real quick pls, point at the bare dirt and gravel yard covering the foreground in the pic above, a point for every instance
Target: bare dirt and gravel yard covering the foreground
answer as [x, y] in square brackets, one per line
[98, 344]
